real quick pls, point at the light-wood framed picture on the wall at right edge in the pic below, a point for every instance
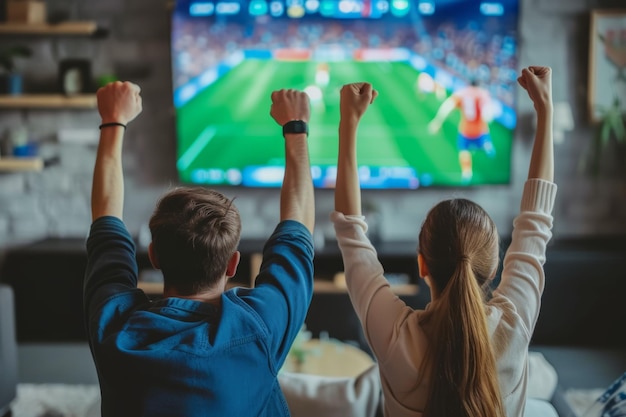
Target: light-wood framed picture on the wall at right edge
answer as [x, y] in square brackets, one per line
[607, 62]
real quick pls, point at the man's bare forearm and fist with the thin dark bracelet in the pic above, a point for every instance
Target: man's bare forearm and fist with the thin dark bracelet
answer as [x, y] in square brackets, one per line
[118, 103]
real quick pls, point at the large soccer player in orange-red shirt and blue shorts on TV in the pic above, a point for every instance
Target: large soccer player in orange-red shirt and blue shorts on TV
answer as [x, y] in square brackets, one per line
[476, 109]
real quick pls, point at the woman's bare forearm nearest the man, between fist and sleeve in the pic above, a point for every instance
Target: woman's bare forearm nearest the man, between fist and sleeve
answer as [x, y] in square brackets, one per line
[347, 190]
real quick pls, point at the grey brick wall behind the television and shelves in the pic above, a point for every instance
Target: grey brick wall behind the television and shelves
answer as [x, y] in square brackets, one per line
[55, 202]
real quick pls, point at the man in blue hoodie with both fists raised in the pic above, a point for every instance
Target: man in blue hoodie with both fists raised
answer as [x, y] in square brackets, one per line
[201, 350]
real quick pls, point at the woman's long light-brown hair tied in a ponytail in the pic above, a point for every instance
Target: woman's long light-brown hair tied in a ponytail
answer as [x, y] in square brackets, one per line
[459, 245]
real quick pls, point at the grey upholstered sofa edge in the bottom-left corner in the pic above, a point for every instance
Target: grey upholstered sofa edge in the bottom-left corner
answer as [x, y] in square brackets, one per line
[8, 350]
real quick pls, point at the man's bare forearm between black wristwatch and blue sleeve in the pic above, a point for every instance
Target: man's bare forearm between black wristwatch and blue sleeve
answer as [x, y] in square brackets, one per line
[297, 201]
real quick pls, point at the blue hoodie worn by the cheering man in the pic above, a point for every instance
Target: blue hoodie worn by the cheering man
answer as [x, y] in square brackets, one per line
[180, 357]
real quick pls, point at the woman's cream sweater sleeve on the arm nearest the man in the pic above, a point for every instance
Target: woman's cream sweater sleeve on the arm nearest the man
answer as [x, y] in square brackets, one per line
[376, 305]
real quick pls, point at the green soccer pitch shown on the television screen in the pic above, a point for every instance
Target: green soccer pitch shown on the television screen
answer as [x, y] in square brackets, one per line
[228, 125]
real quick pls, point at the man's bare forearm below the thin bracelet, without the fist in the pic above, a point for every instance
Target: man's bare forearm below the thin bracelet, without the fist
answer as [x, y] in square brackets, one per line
[107, 196]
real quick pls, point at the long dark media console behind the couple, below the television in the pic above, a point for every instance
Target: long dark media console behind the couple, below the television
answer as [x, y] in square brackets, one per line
[582, 303]
